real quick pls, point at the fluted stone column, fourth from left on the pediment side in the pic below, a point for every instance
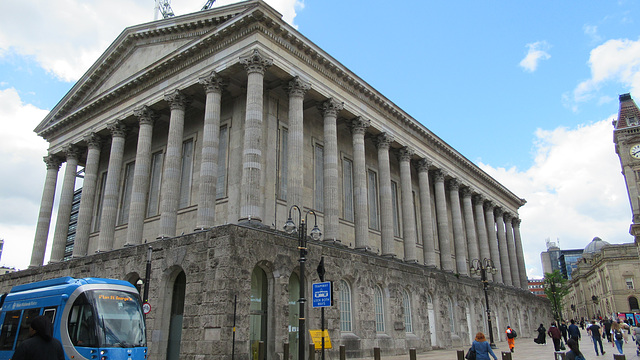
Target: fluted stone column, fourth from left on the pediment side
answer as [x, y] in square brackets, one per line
[111, 187]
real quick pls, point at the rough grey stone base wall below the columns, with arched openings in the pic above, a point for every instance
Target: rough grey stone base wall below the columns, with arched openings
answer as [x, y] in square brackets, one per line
[218, 266]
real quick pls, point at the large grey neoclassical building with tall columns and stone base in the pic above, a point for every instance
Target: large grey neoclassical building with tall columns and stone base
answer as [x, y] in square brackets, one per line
[197, 134]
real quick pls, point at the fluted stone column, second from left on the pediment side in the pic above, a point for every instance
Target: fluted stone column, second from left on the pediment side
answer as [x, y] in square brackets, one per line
[72, 153]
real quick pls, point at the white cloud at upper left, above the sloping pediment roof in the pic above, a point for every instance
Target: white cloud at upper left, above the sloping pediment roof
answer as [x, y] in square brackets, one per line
[66, 37]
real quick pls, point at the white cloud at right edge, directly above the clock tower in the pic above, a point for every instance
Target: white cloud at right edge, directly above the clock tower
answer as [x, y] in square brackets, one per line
[616, 60]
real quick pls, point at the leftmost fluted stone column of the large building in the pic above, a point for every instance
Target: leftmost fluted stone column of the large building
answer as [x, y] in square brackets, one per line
[46, 207]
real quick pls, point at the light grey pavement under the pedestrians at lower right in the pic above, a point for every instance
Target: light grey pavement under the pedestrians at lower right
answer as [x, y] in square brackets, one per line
[526, 349]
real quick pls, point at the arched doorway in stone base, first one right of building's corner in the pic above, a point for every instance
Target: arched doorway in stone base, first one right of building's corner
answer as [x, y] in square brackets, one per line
[258, 311]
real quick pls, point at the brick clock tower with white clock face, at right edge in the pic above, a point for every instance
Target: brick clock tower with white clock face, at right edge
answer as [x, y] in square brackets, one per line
[626, 137]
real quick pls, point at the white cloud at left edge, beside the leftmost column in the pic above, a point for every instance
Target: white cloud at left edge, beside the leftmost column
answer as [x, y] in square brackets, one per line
[21, 153]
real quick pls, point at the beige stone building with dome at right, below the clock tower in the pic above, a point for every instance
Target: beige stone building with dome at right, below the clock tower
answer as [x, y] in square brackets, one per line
[603, 284]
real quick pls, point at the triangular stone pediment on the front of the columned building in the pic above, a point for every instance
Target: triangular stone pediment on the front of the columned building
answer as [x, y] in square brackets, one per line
[137, 50]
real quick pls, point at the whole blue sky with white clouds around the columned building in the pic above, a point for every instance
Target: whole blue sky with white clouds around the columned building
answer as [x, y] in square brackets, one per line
[526, 90]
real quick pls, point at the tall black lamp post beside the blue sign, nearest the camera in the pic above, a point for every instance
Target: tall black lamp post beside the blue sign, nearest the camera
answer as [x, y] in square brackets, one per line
[290, 227]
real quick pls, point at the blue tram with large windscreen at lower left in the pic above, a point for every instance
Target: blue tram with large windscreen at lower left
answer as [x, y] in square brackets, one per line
[93, 318]
